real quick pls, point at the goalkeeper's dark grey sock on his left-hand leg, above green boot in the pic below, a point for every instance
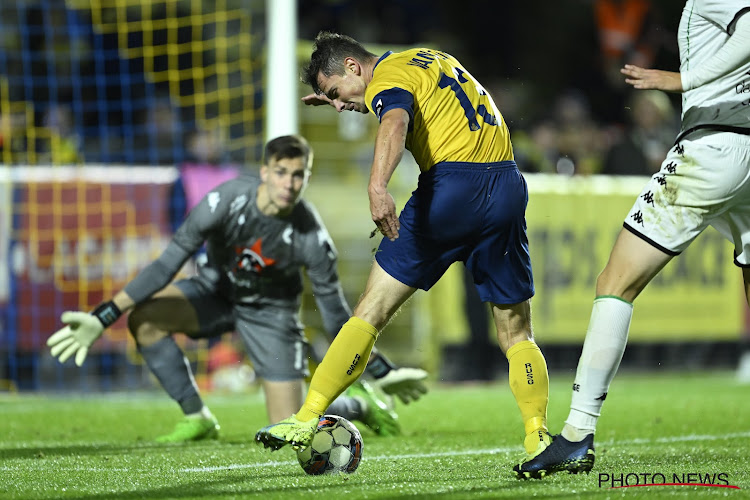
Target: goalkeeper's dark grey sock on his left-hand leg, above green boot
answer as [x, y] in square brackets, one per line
[172, 370]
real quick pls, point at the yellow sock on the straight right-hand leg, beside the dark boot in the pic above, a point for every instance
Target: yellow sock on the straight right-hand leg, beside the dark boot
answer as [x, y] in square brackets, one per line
[529, 382]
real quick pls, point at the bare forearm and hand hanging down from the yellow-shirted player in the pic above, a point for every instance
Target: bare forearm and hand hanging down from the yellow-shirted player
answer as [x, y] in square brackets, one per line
[390, 144]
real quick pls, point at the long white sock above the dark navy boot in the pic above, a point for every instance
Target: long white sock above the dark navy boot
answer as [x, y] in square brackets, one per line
[602, 352]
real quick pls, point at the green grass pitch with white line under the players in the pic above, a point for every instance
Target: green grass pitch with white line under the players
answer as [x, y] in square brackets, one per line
[460, 441]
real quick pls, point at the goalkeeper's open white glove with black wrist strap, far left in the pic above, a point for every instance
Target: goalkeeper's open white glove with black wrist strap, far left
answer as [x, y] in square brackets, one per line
[80, 331]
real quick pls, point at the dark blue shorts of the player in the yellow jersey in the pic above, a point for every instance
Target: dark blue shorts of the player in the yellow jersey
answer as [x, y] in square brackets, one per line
[473, 213]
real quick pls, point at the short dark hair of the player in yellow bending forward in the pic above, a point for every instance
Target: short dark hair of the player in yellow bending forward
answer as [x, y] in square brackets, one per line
[329, 51]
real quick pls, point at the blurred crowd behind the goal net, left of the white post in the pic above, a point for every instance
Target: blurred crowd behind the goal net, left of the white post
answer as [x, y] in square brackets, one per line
[137, 83]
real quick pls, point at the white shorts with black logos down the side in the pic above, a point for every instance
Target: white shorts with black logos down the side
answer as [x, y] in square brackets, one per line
[704, 181]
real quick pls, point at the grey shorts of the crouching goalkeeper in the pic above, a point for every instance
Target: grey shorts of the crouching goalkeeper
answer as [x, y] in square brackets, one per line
[273, 336]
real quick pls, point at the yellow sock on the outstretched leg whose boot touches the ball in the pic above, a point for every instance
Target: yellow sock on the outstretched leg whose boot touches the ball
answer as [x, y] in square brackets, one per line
[342, 365]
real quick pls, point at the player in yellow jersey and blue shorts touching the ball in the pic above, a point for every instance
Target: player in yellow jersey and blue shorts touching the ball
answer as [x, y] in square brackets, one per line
[469, 206]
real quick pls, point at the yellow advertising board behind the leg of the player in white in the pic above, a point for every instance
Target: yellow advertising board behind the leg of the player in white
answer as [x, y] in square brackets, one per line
[572, 224]
